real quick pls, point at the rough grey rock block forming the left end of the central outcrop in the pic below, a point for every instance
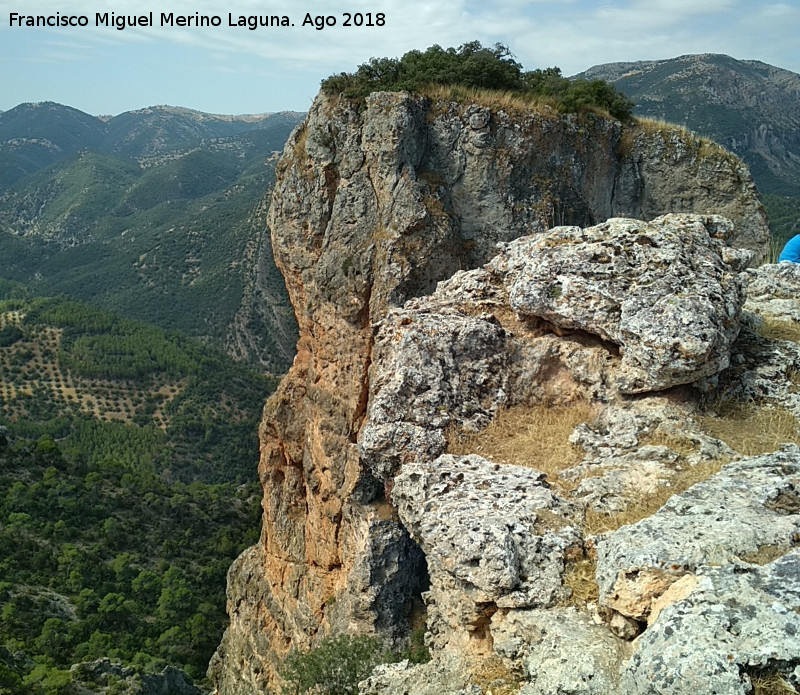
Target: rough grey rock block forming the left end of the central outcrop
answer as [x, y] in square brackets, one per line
[431, 369]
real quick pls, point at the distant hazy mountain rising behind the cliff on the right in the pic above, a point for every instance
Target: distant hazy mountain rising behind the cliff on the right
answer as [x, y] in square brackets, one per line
[751, 108]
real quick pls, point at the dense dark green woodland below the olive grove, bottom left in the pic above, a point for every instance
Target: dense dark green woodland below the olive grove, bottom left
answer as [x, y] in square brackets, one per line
[102, 557]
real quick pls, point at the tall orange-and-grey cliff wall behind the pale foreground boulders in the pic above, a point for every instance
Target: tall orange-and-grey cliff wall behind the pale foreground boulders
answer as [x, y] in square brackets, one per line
[372, 207]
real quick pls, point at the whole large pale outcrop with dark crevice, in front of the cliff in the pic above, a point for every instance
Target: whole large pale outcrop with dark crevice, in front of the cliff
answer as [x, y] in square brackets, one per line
[638, 306]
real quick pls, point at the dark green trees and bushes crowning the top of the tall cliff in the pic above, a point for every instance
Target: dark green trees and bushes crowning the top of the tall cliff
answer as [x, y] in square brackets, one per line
[473, 65]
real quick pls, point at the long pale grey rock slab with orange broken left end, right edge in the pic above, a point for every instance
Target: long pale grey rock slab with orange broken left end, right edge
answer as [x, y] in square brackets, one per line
[749, 505]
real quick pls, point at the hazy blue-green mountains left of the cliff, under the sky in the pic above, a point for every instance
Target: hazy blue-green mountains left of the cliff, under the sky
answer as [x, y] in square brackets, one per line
[153, 213]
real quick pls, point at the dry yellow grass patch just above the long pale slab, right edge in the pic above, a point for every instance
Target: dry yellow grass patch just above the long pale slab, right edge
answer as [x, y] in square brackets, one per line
[749, 428]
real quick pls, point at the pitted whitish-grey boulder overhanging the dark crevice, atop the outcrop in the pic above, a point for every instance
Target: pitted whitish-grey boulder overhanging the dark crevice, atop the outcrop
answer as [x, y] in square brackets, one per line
[659, 290]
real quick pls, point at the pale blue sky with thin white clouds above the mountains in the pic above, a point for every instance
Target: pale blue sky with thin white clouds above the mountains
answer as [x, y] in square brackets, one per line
[234, 70]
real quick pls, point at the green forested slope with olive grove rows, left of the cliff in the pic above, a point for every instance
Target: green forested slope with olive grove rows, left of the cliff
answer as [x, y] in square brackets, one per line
[127, 486]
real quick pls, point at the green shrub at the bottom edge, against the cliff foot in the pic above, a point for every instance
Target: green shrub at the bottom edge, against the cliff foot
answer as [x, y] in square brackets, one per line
[335, 667]
